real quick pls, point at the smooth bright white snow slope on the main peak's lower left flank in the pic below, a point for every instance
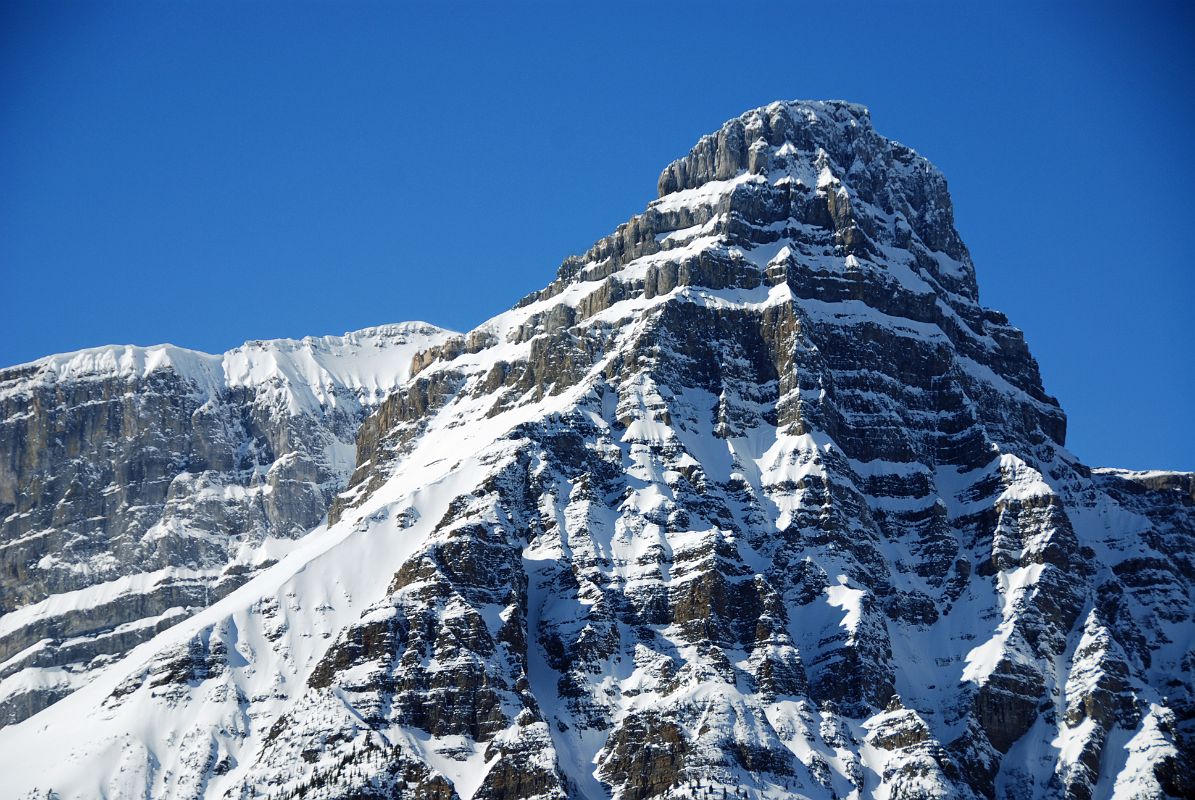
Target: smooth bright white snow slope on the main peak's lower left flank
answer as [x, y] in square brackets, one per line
[327, 604]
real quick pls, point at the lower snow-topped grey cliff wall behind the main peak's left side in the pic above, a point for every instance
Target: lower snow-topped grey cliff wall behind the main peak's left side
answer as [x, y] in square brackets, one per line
[137, 485]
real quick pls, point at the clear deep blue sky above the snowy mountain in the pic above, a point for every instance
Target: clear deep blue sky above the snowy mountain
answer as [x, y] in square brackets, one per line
[205, 174]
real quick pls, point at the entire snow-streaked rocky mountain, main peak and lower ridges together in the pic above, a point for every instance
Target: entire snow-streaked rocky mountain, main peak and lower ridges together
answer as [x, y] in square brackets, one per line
[753, 500]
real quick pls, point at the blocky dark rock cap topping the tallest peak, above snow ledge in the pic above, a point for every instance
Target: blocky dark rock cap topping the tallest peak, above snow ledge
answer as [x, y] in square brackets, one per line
[829, 168]
